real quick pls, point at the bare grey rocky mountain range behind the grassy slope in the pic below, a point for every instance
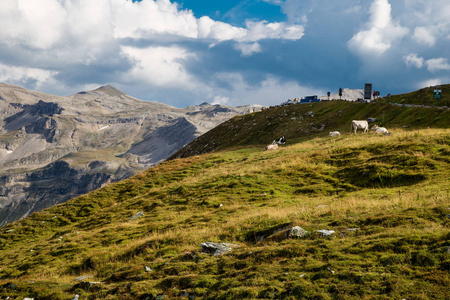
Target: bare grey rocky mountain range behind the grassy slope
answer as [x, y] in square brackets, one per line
[55, 148]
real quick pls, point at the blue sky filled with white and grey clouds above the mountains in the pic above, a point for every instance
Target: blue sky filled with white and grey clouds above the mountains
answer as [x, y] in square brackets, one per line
[186, 52]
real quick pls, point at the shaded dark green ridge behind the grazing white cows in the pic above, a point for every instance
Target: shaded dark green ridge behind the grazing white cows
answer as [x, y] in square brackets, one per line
[302, 122]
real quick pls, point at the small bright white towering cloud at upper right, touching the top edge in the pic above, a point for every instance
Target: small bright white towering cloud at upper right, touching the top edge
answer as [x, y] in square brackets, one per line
[380, 33]
